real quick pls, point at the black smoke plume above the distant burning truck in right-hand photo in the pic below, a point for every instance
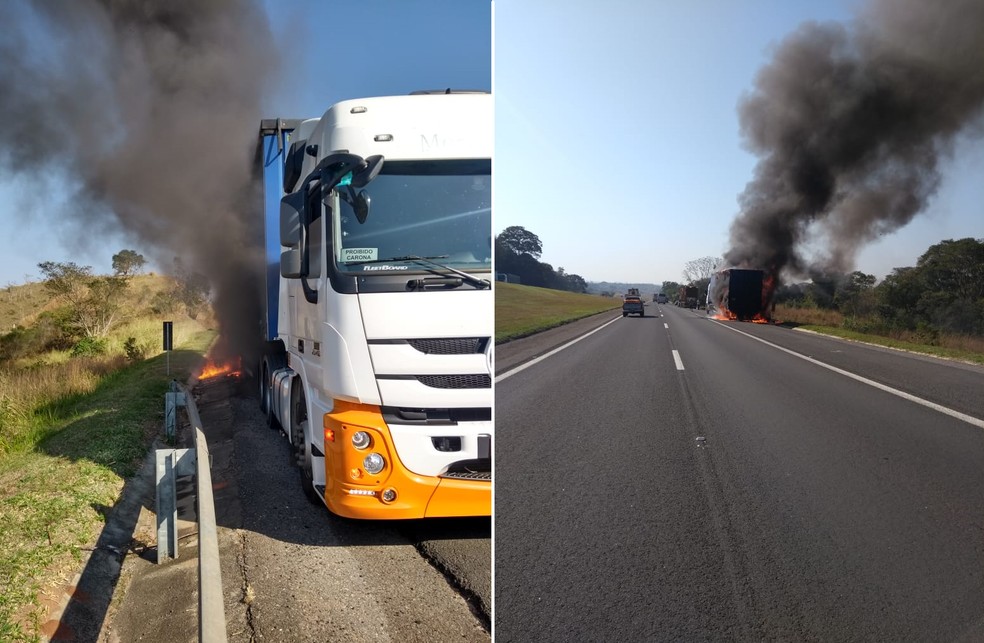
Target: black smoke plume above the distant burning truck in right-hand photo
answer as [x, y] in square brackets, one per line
[851, 123]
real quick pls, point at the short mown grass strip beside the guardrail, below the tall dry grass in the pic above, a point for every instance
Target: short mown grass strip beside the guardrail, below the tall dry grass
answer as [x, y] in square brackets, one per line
[56, 492]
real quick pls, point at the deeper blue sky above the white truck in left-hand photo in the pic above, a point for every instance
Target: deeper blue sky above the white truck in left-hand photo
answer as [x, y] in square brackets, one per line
[335, 51]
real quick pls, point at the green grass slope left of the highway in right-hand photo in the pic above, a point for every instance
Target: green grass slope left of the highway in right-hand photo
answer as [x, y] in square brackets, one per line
[525, 310]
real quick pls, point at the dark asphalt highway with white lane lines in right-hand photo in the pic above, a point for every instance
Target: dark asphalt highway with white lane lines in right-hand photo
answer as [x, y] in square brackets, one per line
[678, 478]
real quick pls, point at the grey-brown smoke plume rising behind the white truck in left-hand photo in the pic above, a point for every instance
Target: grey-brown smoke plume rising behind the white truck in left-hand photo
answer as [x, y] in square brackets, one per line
[151, 110]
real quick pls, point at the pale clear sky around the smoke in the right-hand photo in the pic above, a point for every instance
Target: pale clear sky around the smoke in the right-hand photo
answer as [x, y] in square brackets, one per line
[617, 134]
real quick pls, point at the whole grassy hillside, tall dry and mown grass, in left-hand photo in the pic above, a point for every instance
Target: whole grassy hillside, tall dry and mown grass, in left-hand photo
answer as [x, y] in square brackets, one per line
[73, 427]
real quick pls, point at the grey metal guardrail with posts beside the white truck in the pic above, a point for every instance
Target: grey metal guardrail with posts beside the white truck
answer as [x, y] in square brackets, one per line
[172, 463]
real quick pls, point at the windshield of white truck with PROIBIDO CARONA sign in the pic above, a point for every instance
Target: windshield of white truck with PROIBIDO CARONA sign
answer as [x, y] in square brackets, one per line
[419, 208]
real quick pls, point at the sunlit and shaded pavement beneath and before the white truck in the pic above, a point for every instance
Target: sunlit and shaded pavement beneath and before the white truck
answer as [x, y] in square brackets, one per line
[293, 572]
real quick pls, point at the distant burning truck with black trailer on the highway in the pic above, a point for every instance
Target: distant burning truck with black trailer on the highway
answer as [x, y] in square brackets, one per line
[741, 294]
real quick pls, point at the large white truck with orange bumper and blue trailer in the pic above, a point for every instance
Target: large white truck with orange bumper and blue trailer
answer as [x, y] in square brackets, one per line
[379, 310]
